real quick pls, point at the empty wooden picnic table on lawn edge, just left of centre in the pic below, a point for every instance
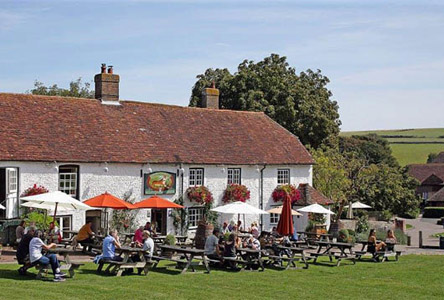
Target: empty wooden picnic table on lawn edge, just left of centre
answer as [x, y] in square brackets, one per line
[186, 260]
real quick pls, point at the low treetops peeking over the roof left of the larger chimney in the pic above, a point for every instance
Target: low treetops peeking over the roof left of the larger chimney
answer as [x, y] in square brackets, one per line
[77, 88]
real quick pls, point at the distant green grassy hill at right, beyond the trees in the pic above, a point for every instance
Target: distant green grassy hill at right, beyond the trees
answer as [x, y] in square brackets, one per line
[409, 146]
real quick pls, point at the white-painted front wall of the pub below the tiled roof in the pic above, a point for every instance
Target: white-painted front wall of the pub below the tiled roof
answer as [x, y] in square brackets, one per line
[121, 179]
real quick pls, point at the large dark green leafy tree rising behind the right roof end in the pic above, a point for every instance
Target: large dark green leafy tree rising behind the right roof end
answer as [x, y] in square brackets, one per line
[300, 103]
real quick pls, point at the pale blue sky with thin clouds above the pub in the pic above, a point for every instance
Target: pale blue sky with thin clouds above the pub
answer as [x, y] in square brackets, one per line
[384, 59]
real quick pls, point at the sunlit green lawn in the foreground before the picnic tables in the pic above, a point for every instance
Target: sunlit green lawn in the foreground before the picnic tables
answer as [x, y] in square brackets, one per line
[412, 277]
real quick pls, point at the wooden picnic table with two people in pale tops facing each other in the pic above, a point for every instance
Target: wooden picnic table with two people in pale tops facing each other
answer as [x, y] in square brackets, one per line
[117, 267]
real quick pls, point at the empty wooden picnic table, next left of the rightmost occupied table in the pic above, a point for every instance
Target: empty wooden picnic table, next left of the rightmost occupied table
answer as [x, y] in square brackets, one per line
[330, 246]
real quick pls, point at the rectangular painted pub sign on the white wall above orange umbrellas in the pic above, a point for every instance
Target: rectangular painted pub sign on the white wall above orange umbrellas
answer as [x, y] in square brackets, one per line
[157, 183]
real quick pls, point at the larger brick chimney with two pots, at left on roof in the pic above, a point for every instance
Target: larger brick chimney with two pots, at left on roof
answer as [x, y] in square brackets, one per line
[107, 84]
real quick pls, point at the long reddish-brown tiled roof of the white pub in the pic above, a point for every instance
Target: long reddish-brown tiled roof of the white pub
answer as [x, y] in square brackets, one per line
[44, 128]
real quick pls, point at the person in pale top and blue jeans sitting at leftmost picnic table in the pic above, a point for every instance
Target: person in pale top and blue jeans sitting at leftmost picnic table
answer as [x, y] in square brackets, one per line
[35, 255]
